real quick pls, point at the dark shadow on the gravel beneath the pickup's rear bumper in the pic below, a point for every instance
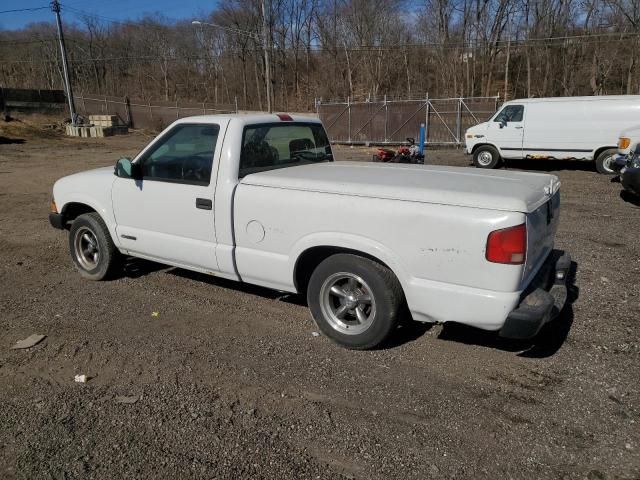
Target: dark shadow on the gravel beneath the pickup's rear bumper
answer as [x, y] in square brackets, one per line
[545, 344]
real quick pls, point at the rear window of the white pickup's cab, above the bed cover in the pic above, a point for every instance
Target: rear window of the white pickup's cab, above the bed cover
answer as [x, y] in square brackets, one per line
[278, 145]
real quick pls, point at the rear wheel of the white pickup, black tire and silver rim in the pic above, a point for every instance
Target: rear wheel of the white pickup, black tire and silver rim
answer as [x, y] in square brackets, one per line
[378, 282]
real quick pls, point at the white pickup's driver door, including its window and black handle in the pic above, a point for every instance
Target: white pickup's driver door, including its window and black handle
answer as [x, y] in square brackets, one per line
[168, 215]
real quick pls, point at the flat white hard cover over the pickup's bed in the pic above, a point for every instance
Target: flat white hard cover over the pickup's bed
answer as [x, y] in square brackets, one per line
[459, 186]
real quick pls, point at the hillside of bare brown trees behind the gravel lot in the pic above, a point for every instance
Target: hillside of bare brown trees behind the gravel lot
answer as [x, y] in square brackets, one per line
[340, 48]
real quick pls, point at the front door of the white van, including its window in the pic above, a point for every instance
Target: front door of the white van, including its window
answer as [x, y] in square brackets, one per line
[506, 129]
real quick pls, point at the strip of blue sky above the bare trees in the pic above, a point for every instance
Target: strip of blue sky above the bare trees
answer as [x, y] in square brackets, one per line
[113, 9]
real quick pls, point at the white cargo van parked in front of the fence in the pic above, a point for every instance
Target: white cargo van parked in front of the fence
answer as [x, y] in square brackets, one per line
[571, 128]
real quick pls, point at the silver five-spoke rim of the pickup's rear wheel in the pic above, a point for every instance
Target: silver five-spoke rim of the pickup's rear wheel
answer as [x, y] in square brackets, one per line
[347, 303]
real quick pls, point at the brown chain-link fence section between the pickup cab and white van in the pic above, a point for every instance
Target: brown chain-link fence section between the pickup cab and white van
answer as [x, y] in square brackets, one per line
[393, 121]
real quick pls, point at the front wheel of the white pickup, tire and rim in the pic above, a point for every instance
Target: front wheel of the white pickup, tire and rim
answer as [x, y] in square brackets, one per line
[91, 247]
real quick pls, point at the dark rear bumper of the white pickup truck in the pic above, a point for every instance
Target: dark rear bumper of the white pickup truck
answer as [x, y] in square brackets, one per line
[542, 301]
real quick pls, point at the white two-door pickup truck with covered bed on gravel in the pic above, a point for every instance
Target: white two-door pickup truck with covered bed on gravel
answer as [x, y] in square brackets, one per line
[259, 199]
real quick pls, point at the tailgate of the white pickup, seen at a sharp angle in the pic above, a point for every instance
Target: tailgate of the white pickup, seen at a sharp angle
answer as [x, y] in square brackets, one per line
[542, 224]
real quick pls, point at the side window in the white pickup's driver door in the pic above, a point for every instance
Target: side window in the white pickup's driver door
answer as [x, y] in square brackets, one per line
[183, 155]
